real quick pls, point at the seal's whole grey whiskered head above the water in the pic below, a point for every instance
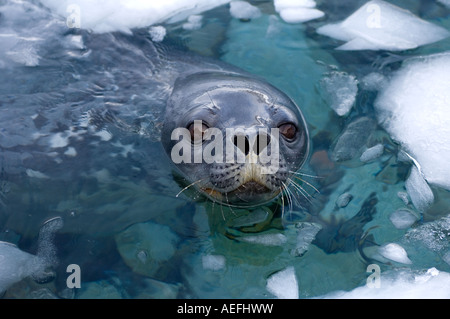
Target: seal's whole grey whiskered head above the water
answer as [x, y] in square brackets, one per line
[236, 138]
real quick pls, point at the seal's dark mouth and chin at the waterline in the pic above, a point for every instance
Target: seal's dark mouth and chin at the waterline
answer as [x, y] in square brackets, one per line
[247, 194]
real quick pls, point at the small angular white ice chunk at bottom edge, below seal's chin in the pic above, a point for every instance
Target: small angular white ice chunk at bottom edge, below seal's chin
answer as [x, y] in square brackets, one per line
[283, 284]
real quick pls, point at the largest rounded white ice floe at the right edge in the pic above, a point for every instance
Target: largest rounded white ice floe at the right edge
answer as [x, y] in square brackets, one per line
[414, 109]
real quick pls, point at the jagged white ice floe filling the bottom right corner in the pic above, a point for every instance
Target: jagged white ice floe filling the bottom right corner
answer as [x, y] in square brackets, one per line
[403, 284]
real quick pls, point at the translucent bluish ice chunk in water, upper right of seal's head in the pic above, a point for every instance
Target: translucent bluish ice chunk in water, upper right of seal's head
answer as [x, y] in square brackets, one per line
[339, 90]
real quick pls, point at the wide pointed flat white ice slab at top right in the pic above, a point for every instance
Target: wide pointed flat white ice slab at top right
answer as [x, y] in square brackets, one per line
[379, 25]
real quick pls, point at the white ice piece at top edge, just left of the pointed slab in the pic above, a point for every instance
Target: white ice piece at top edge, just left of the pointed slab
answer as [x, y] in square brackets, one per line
[297, 11]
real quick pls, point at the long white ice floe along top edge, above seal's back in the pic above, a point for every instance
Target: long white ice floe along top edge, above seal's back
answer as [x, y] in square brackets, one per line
[120, 15]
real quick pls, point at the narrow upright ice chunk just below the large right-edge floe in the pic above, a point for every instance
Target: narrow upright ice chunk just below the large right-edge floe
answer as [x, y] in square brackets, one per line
[418, 190]
